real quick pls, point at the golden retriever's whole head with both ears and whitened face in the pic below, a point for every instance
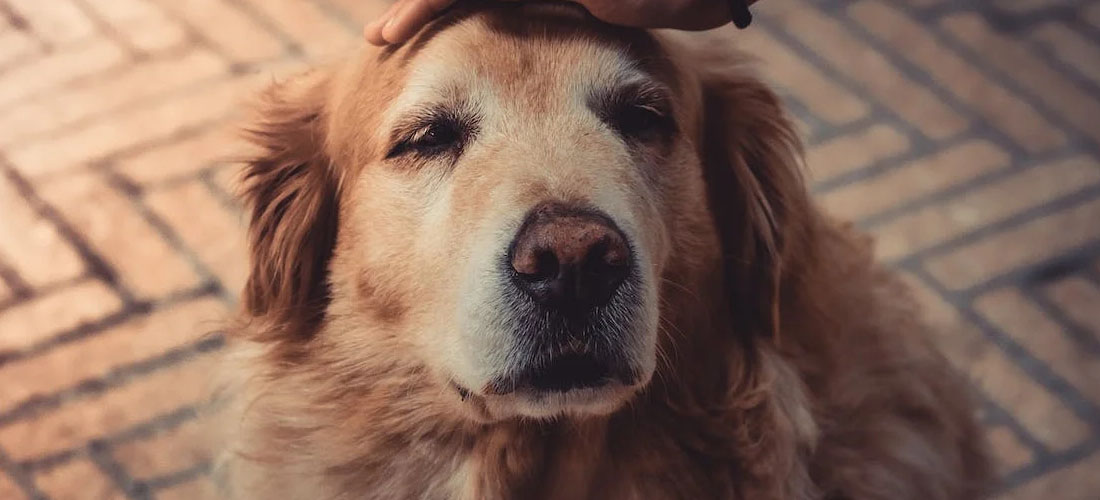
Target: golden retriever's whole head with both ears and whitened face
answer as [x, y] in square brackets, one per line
[503, 204]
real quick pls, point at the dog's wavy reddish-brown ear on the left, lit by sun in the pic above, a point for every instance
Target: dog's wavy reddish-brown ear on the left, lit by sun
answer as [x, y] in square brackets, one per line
[291, 192]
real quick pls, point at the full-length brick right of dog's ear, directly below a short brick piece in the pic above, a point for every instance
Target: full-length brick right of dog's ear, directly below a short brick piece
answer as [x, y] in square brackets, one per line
[916, 181]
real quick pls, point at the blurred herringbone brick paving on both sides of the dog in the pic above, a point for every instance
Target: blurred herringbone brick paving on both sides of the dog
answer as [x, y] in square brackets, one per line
[965, 136]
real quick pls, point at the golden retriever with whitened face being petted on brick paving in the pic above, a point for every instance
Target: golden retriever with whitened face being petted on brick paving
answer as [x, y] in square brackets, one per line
[529, 255]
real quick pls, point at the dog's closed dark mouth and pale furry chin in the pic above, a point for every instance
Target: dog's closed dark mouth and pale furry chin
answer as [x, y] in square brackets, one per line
[564, 370]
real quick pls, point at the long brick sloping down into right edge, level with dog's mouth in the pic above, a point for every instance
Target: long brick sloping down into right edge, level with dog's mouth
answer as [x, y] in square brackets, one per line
[1043, 338]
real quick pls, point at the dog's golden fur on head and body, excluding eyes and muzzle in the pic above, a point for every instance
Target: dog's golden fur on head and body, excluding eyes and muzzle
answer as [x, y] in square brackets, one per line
[791, 366]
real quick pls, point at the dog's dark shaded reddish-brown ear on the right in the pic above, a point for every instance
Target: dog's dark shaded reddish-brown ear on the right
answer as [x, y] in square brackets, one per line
[753, 168]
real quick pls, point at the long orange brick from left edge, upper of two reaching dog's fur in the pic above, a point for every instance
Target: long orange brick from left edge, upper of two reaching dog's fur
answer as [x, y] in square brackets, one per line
[140, 339]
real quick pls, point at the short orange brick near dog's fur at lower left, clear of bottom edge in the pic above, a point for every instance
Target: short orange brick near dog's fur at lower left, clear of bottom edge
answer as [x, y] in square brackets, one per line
[169, 452]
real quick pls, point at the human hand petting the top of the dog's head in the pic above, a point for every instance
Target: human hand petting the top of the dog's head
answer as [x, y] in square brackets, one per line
[406, 17]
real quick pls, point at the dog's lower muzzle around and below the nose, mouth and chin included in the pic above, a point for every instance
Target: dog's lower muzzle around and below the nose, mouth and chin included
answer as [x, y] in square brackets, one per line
[542, 361]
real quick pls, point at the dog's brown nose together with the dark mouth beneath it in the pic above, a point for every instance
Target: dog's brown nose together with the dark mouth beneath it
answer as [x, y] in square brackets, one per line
[574, 287]
